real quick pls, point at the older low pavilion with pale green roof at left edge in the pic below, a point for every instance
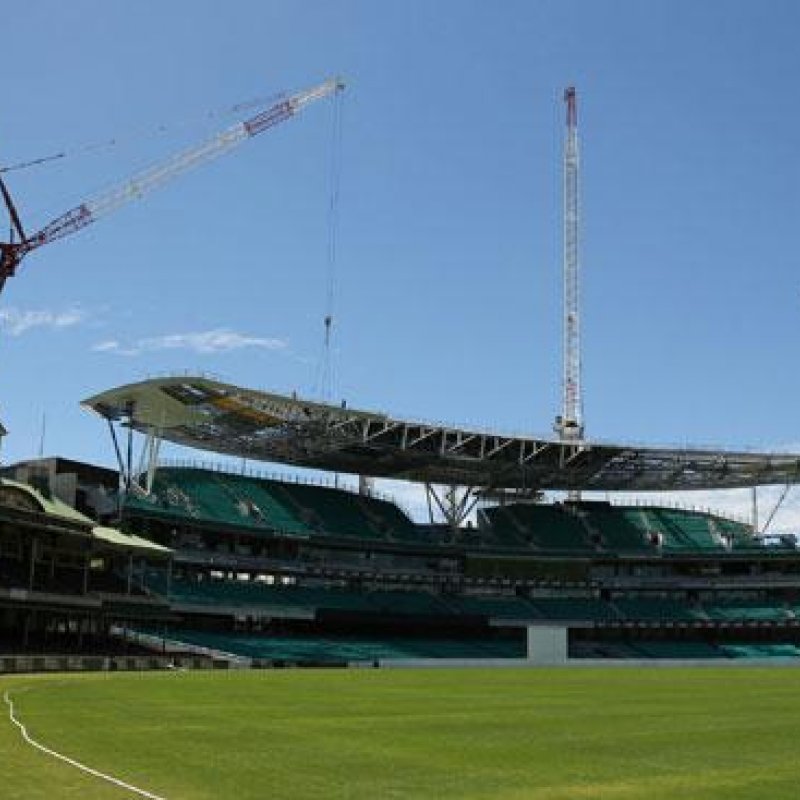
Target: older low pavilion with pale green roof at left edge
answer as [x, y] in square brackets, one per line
[64, 578]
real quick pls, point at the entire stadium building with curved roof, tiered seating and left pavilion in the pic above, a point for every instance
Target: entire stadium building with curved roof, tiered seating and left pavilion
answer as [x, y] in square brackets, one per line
[274, 570]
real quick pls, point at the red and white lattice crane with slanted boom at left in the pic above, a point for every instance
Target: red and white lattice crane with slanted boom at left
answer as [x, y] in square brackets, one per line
[20, 244]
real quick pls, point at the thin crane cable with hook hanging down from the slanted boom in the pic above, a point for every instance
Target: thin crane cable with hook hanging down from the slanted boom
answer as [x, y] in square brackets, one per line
[326, 379]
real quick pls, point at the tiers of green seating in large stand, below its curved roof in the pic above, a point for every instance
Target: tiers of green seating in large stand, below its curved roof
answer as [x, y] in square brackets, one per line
[281, 572]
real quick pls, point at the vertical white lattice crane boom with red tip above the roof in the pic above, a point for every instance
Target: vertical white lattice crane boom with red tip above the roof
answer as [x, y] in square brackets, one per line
[569, 424]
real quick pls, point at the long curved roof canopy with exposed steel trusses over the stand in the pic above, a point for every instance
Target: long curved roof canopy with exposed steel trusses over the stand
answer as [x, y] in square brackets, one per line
[209, 415]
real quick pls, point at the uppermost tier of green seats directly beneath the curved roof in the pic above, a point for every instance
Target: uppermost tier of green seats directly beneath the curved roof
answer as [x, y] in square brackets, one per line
[303, 509]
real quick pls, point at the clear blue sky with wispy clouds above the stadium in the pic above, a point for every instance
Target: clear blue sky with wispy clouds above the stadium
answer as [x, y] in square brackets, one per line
[446, 281]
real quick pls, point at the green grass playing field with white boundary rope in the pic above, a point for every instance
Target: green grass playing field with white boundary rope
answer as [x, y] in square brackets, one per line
[580, 733]
